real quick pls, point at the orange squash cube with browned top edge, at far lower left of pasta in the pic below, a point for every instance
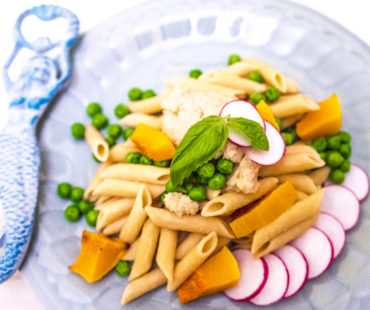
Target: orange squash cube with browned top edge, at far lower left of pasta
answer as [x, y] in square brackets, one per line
[99, 254]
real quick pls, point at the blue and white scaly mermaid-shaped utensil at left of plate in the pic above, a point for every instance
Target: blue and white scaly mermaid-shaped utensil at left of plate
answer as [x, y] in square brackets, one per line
[30, 93]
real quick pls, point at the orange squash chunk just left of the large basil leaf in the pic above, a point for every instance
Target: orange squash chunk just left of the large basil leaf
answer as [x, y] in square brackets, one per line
[153, 143]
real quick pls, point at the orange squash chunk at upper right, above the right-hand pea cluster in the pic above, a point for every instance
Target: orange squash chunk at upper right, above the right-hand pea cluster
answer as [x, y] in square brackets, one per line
[323, 122]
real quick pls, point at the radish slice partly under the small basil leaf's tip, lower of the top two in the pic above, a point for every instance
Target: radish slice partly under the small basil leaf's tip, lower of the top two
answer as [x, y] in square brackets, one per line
[276, 150]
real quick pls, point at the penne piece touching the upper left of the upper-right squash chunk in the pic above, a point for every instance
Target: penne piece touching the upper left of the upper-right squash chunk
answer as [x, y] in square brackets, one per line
[290, 105]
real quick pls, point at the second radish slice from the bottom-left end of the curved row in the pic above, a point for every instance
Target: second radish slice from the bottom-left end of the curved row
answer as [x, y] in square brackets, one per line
[277, 282]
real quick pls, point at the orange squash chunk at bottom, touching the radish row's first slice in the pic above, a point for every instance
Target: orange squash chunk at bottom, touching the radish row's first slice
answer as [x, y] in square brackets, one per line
[218, 273]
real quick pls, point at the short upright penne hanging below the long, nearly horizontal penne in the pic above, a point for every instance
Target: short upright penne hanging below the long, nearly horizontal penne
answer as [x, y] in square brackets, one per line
[166, 251]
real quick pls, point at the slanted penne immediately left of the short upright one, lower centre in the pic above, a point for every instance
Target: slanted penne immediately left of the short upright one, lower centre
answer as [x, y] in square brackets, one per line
[145, 250]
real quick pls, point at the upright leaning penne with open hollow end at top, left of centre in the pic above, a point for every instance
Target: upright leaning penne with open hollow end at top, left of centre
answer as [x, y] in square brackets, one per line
[137, 216]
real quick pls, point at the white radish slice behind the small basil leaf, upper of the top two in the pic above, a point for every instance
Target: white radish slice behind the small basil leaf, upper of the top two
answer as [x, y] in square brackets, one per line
[241, 108]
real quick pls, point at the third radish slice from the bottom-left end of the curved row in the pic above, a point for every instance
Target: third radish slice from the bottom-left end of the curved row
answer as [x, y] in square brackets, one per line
[297, 267]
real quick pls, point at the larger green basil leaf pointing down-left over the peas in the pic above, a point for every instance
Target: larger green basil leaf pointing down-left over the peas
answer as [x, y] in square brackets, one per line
[200, 144]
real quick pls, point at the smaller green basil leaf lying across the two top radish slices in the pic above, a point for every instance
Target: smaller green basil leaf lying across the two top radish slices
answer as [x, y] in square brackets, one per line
[251, 130]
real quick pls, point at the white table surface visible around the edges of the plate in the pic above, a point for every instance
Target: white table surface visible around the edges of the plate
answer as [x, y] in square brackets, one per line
[15, 294]
